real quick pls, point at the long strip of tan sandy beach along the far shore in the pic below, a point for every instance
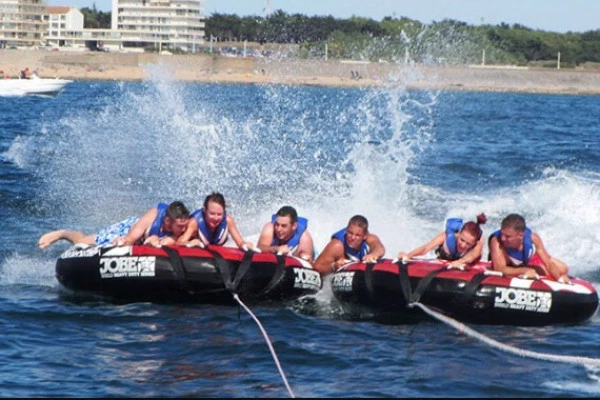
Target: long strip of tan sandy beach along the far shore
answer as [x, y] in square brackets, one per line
[334, 73]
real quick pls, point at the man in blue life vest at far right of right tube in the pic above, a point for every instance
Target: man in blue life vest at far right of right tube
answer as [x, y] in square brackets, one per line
[517, 250]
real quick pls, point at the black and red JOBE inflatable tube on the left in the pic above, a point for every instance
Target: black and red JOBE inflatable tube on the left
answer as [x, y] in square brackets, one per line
[185, 274]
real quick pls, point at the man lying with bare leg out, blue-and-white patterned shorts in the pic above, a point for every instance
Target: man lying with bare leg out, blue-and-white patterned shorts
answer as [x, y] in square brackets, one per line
[161, 225]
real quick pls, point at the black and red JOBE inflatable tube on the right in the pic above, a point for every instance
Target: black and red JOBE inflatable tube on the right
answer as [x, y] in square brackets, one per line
[476, 294]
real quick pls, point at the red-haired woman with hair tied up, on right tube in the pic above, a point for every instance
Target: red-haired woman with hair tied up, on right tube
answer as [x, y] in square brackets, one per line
[459, 243]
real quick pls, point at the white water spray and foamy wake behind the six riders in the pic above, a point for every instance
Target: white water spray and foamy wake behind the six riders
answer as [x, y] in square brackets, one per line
[332, 153]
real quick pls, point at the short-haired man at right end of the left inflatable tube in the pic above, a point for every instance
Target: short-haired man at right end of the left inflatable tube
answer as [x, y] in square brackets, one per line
[287, 234]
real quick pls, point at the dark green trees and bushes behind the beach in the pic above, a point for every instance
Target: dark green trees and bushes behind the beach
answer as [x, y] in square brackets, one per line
[400, 39]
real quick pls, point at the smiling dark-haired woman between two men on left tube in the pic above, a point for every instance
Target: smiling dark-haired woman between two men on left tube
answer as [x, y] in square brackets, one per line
[212, 225]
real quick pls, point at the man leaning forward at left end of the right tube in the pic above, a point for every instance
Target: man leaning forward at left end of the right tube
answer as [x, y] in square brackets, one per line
[353, 243]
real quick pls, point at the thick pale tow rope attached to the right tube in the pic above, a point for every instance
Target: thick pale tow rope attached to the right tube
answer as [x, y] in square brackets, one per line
[462, 328]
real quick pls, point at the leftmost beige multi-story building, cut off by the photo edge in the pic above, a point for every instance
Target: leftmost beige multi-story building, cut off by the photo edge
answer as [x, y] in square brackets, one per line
[22, 23]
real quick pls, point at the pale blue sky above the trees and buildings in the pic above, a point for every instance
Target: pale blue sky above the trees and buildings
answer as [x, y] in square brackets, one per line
[548, 15]
